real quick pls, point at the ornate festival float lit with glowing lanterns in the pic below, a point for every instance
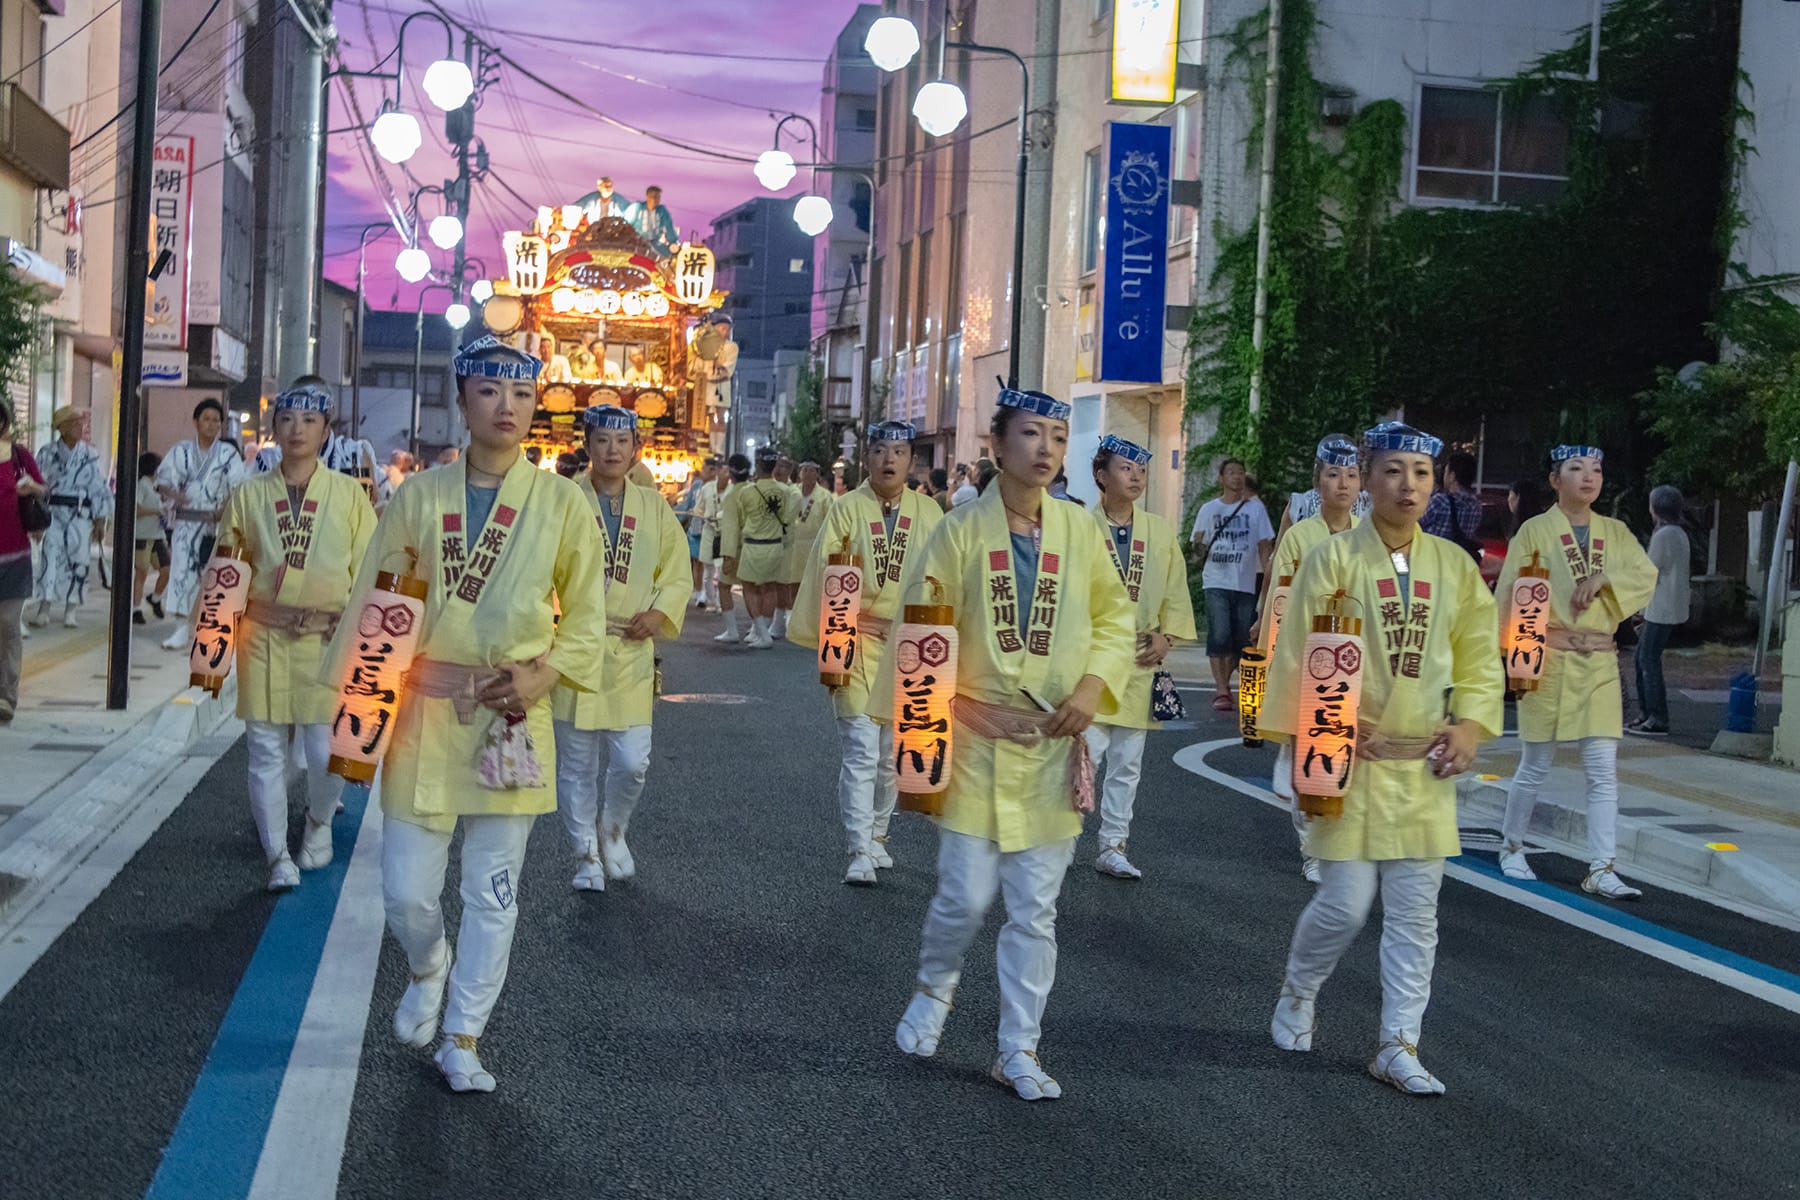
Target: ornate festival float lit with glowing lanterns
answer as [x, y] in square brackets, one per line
[615, 325]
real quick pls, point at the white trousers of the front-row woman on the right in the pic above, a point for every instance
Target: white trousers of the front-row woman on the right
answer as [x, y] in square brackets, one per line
[1408, 935]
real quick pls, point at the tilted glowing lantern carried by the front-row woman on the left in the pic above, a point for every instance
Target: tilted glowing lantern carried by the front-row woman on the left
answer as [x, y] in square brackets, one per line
[388, 636]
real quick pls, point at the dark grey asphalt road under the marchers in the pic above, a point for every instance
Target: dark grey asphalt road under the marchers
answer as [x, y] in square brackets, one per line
[724, 1025]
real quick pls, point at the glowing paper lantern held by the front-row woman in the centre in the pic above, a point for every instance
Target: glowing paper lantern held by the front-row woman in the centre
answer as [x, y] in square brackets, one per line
[924, 652]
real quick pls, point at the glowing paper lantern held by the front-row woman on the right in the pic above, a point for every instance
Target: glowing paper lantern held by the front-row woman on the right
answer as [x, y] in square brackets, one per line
[1331, 688]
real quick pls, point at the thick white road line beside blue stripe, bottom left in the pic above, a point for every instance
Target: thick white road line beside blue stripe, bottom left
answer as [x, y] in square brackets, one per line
[305, 1145]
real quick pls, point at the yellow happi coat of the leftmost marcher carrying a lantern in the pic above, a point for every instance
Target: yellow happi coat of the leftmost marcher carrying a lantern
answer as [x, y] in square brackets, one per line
[278, 674]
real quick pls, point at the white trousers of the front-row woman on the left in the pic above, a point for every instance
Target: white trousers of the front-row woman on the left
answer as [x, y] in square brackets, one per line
[413, 881]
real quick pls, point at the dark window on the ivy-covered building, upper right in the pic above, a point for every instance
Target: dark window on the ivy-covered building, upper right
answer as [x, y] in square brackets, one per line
[1479, 148]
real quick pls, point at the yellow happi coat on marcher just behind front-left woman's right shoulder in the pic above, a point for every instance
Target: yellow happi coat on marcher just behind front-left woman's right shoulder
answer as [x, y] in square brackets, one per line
[649, 573]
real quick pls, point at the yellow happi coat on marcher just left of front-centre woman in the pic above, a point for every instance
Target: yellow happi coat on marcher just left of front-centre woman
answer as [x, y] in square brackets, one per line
[858, 517]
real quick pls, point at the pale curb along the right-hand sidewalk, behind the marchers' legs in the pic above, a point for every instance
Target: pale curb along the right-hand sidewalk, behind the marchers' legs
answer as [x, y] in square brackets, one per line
[1651, 848]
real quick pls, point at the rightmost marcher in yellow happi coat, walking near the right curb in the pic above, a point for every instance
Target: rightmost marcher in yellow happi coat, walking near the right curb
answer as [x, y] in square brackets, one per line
[1599, 578]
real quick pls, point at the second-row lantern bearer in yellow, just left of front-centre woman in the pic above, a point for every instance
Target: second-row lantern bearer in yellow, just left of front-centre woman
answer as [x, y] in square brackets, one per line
[885, 524]
